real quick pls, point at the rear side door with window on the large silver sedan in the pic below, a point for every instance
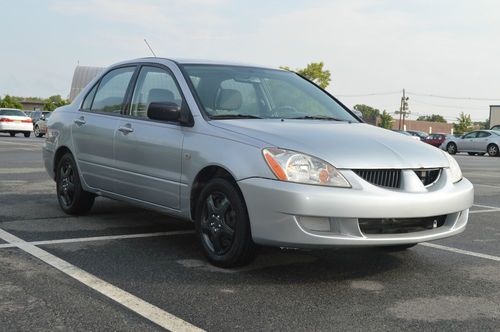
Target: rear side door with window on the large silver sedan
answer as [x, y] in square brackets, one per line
[95, 124]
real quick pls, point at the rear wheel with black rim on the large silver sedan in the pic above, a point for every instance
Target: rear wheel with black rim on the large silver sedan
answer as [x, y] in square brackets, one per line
[72, 198]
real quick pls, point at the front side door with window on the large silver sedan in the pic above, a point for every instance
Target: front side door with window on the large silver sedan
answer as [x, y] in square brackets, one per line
[148, 152]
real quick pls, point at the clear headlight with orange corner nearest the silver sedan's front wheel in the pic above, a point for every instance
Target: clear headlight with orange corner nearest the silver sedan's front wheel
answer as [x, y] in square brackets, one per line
[301, 168]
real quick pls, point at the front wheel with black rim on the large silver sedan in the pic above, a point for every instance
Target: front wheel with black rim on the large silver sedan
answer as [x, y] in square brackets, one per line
[223, 226]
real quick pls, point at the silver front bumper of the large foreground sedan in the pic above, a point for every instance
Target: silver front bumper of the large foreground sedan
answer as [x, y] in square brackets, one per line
[295, 215]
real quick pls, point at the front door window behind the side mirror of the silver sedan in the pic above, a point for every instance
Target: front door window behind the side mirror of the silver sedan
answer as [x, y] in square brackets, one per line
[153, 85]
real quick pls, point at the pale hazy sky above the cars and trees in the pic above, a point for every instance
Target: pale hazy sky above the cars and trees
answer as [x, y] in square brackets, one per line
[444, 48]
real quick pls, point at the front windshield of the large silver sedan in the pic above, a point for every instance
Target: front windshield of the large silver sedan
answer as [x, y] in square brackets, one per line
[228, 92]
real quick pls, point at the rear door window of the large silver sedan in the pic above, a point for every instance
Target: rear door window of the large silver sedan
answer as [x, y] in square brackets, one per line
[111, 91]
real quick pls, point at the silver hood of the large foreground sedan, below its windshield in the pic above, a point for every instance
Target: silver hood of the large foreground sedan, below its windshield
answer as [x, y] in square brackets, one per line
[344, 145]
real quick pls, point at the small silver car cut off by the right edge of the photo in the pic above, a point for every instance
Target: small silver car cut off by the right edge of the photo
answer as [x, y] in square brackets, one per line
[477, 142]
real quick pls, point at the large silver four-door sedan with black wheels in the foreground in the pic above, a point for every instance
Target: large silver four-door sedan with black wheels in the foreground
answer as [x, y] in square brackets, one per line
[254, 156]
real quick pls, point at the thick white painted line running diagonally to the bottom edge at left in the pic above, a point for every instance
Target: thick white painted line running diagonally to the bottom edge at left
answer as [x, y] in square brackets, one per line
[132, 302]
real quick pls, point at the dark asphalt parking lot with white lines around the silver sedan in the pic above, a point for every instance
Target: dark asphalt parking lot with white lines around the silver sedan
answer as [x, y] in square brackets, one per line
[124, 268]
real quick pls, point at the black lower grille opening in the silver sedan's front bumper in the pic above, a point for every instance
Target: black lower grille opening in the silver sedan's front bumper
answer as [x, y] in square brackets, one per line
[400, 225]
